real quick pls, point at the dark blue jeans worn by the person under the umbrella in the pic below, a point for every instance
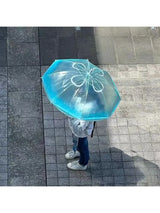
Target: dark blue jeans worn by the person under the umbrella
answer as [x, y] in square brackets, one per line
[81, 145]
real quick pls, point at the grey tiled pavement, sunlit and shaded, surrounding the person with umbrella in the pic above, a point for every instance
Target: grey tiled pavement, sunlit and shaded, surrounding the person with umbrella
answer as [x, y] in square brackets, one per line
[34, 136]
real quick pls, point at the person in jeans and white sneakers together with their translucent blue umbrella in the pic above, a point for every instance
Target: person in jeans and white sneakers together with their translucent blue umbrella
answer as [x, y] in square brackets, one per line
[85, 93]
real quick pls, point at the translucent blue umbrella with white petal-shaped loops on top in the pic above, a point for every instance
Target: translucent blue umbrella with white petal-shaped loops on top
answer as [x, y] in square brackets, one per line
[80, 89]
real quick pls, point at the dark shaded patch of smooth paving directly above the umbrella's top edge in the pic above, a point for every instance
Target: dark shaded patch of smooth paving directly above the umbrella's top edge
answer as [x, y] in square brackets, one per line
[66, 42]
